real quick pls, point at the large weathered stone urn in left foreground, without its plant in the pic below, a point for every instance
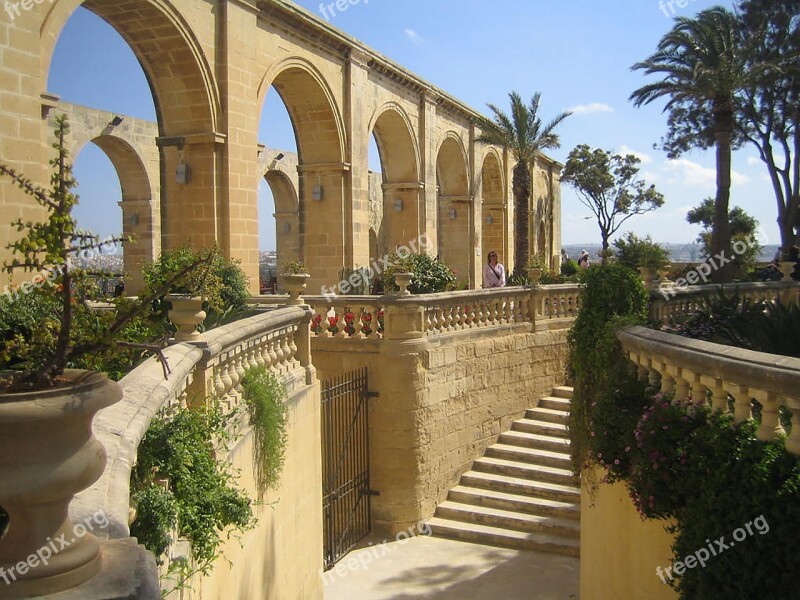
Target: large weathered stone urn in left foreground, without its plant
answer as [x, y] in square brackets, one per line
[47, 454]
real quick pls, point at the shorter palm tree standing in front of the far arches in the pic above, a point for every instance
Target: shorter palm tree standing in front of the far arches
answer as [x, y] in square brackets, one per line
[524, 135]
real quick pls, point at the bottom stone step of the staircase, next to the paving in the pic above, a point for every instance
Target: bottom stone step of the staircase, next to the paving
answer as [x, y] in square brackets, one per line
[507, 538]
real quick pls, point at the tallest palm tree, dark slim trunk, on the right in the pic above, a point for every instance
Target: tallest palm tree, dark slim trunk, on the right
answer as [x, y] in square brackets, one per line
[703, 70]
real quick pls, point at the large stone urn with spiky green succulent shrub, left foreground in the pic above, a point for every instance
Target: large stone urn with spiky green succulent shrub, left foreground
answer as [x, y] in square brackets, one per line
[47, 450]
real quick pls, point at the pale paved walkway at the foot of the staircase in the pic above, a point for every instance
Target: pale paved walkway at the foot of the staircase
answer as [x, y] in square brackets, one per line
[428, 568]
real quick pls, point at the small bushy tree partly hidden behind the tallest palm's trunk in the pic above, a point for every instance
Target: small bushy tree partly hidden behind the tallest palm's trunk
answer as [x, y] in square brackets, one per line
[743, 234]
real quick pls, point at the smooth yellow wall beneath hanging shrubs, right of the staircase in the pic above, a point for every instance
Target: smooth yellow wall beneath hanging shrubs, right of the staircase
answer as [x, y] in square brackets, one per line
[619, 551]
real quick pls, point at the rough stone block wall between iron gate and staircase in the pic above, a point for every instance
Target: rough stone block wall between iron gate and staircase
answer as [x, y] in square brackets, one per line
[440, 404]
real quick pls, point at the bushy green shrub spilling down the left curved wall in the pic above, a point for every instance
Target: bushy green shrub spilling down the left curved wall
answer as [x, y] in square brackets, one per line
[183, 449]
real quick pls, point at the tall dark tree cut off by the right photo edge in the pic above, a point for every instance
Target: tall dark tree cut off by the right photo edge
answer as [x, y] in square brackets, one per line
[769, 107]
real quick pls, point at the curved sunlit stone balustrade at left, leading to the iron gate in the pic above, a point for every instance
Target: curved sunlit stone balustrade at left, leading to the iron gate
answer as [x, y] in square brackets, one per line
[211, 366]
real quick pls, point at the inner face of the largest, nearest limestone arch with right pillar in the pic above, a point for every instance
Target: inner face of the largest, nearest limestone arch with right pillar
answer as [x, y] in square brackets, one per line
[186, 101]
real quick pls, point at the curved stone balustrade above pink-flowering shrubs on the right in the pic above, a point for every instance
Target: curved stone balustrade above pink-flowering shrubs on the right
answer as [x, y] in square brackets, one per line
[699, 372]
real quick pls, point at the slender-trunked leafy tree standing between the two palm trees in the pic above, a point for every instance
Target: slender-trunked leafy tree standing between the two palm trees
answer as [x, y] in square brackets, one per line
[608, 184]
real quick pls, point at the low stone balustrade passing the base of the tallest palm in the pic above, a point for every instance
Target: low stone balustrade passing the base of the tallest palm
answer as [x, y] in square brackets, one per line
[669, 302]
